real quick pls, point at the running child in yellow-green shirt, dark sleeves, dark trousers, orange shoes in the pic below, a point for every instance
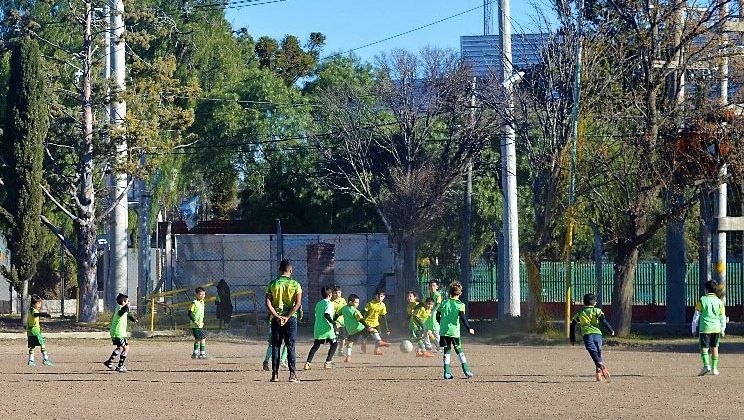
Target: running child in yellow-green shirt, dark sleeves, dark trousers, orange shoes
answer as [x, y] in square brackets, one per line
[589, 320]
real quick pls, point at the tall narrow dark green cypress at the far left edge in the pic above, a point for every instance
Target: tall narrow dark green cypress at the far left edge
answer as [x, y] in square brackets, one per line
[22, 151]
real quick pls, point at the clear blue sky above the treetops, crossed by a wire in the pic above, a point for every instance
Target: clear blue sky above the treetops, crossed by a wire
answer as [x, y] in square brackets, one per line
[349, 24]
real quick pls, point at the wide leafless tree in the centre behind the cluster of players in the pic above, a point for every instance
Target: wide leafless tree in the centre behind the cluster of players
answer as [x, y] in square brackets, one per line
[403, 146]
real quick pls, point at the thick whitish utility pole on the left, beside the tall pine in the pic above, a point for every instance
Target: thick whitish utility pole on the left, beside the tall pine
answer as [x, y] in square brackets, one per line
[120, 215]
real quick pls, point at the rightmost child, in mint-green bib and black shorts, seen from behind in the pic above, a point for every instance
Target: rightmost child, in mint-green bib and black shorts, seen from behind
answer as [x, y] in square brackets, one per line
[709, 322]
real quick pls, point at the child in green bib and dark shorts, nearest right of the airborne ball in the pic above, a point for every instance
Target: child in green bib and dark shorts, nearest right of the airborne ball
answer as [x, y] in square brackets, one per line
[449, 316]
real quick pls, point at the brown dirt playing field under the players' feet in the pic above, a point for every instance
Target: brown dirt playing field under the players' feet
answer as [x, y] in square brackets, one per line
[163, 382]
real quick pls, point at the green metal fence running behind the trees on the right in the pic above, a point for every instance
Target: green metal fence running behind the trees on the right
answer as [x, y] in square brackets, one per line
[649, 287]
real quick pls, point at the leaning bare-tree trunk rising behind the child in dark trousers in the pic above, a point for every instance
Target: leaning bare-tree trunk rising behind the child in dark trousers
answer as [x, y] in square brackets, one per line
[626, 262]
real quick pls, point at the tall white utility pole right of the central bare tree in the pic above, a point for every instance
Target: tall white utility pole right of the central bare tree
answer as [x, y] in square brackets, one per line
[511, 304]
